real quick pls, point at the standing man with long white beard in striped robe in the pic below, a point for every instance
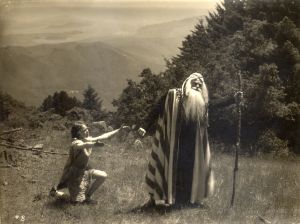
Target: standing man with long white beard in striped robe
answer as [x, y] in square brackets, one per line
[179, 170]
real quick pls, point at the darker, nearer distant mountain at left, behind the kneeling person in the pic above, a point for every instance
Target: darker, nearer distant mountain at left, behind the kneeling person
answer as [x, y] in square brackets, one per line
[31, 73]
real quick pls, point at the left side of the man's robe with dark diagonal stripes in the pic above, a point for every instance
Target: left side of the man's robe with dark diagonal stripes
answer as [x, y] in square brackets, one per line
[160, 177]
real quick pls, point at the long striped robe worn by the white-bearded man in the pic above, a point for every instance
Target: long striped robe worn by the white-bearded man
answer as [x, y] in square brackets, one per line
[166, 168]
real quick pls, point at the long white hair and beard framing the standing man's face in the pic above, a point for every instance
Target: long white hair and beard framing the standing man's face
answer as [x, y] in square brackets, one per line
[195, 102]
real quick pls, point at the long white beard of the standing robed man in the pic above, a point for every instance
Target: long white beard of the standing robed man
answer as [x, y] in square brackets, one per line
[195, 104]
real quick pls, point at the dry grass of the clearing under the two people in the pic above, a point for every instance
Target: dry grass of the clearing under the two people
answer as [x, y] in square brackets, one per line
[265, 188]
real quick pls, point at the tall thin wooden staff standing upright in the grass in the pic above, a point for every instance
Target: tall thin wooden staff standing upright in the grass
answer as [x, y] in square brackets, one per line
[238, 140]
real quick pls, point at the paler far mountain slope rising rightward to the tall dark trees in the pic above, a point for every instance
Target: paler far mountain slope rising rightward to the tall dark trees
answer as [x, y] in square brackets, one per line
[154, 43]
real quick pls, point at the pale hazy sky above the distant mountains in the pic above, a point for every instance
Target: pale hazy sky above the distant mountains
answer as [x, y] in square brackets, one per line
[33, 22]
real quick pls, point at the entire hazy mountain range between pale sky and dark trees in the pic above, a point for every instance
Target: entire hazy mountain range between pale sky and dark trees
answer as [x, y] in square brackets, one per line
[31, 73]
